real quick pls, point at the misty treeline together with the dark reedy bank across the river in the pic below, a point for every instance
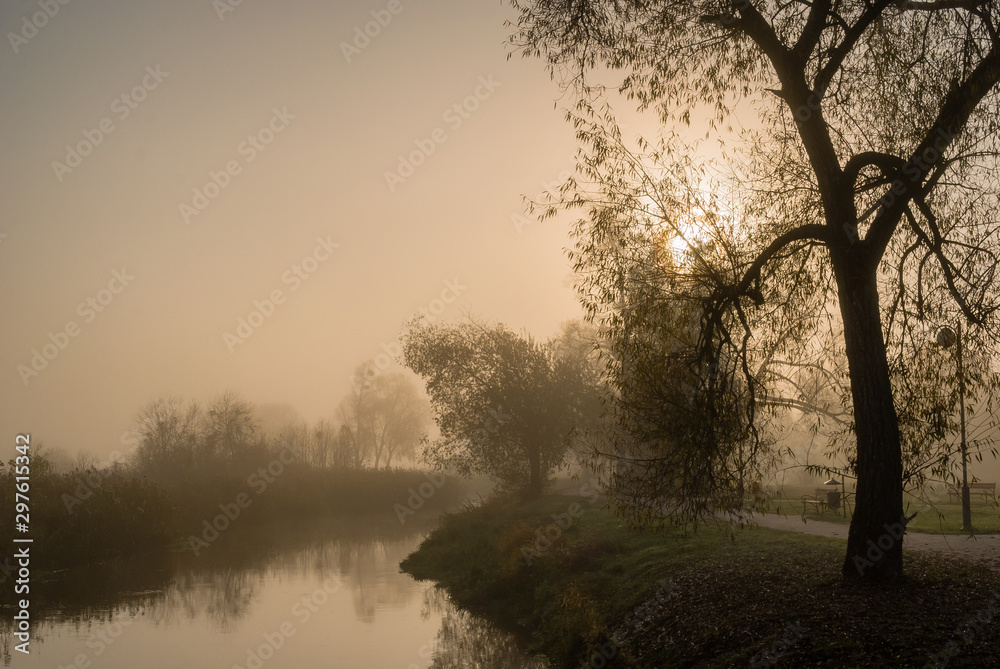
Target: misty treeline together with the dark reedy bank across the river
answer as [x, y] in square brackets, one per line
[193, 476]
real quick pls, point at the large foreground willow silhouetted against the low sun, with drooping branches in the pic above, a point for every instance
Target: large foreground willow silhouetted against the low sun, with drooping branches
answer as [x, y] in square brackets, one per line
[863, 176]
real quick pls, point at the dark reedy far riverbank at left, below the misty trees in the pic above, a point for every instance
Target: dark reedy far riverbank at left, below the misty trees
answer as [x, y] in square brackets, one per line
[106, 515]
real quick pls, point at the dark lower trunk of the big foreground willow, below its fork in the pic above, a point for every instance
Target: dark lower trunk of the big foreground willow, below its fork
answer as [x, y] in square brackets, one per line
[875, 539]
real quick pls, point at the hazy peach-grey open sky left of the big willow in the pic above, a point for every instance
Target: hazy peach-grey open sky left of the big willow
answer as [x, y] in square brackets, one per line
[166, 165]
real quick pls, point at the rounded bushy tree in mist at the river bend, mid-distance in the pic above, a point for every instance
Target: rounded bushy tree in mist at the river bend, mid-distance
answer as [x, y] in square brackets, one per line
[506, 406]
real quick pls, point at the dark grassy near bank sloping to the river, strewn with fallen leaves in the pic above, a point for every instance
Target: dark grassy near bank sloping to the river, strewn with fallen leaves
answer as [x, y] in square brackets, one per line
[761, 598]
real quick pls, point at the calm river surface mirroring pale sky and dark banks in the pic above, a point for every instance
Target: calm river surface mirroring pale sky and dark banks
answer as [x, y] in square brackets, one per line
[291, 598]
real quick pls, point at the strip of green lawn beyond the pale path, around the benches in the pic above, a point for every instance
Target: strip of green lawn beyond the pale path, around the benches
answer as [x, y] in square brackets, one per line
[938, 516]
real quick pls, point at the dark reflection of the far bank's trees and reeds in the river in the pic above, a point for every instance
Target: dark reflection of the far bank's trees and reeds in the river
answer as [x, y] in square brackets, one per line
[222, 584]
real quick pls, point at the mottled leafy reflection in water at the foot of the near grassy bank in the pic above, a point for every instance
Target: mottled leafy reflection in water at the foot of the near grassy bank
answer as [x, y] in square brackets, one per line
[469, 642]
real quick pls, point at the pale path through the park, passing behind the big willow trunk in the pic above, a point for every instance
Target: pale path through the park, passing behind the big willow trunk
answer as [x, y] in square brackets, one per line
[983, 549]
